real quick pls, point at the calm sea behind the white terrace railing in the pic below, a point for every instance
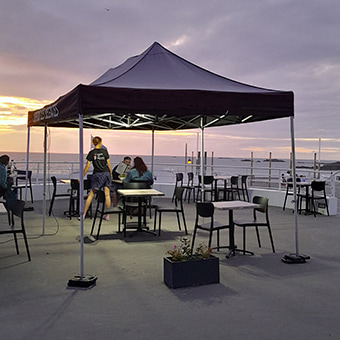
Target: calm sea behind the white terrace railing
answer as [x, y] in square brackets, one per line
[165, 167]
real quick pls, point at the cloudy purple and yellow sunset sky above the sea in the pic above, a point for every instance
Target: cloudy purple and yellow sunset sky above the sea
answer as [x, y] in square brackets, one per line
[49, 47]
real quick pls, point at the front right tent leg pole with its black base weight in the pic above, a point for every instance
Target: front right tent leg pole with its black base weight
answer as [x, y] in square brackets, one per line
[296, 257]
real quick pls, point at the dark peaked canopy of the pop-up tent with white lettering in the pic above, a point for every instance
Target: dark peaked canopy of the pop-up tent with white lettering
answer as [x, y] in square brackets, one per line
[158, 90]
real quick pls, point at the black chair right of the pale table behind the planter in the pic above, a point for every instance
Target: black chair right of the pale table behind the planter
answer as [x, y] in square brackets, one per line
[257, 223]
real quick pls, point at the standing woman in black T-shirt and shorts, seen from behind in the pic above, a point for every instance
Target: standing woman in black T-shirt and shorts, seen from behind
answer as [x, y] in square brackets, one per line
[102, 174]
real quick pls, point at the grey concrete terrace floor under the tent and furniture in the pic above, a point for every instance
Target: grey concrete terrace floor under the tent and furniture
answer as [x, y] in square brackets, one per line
[258, 297]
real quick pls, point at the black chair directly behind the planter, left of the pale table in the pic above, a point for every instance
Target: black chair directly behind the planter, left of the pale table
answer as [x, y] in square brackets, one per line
[206, 210]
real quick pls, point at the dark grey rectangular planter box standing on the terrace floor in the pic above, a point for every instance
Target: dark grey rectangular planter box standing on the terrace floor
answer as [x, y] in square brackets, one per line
[191, 273]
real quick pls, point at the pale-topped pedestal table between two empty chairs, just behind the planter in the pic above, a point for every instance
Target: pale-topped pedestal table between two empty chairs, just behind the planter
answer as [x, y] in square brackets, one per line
[231, 206]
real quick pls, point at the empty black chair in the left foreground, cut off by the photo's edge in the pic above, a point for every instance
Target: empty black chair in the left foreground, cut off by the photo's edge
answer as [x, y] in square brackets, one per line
[15, 210]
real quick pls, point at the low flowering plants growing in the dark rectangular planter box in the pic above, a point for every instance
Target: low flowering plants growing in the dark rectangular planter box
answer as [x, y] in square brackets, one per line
[183, 252]
